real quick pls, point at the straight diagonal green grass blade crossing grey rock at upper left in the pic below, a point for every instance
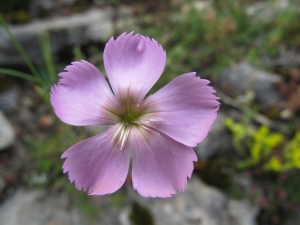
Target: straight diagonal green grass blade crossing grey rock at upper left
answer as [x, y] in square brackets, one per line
[19, 48]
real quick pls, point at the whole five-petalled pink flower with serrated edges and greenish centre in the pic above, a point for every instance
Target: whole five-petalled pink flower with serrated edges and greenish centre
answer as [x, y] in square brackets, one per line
[158, 131]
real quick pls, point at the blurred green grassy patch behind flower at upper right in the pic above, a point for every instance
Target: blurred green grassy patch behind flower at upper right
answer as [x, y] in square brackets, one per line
[215, 37]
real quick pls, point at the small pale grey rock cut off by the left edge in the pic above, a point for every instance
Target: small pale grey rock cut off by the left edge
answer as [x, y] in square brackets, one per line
[7, 134]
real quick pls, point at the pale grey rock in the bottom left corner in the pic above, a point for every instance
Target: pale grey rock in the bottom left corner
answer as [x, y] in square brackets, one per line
[37, 207]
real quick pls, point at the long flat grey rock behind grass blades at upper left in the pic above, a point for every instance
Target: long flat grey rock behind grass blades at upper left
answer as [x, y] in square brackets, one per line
[93, 25]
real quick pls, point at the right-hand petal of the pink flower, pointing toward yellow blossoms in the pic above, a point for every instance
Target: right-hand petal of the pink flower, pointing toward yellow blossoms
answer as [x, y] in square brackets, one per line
[187, 108]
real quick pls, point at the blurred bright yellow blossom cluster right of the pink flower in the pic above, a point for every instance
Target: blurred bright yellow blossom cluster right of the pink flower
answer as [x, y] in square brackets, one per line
[261, 147]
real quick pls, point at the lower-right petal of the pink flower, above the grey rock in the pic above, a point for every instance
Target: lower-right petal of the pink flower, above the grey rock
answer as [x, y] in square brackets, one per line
[160, 165]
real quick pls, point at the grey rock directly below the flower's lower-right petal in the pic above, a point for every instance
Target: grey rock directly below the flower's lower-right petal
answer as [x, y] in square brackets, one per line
[199, 204]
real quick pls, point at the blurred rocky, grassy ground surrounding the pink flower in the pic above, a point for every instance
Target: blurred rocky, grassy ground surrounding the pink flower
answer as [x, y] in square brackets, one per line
[248, 167]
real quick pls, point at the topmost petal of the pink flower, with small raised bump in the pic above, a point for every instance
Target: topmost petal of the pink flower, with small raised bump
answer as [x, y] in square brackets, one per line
[133, 64]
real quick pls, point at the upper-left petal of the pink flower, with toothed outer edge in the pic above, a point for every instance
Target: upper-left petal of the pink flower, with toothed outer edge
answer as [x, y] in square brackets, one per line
[83, 97]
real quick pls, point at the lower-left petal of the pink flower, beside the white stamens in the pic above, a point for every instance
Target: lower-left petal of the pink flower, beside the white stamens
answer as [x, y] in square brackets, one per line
[97, 164]
